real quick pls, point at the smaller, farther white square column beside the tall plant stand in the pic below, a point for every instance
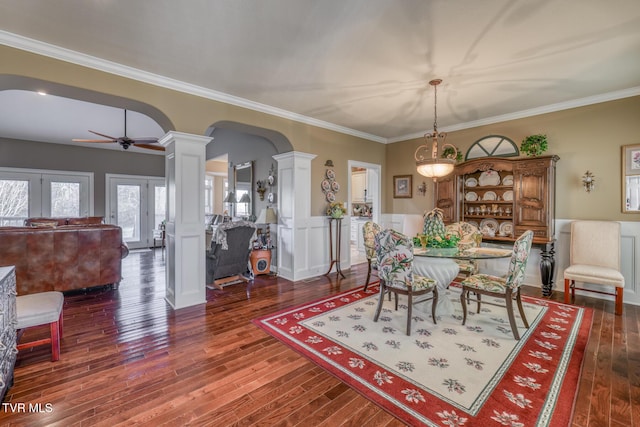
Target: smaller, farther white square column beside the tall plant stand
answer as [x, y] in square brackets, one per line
[294, 211]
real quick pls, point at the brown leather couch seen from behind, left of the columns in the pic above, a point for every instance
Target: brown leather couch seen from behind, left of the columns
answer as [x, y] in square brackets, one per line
[63, 257]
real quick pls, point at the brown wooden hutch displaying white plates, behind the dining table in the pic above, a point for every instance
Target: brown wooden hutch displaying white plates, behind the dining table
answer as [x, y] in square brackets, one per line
[507, 196]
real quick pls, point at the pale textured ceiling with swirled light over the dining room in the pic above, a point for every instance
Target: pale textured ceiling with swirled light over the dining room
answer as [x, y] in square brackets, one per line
[360, 65]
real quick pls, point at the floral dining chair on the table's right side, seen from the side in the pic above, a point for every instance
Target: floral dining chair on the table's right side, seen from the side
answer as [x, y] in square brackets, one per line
[507, 287]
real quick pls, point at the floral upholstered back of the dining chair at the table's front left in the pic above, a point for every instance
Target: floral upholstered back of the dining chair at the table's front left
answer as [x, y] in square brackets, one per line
[394, 253]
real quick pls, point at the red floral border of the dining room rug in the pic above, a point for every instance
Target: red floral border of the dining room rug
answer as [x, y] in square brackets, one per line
[562, 415]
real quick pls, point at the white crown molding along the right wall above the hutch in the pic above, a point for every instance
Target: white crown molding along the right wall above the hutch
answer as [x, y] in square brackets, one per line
[582, 102]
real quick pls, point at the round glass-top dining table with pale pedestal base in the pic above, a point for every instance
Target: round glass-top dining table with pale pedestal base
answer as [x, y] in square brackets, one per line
[439, 264]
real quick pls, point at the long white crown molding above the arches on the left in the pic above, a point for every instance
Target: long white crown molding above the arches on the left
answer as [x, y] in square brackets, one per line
[67, 55]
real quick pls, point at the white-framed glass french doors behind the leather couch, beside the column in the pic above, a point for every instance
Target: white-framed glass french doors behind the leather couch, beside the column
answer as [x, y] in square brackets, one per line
[137, 205]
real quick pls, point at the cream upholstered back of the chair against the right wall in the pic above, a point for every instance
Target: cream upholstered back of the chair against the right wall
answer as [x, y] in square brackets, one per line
[595, 243]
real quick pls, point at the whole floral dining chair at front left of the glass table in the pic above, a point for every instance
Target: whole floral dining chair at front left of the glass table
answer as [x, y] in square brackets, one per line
[394, 253]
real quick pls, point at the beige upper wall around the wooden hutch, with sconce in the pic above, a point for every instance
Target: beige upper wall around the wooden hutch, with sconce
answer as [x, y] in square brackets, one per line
[585, 138]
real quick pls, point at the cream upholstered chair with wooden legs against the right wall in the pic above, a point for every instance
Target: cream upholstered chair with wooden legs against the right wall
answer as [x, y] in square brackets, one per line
[594, 257]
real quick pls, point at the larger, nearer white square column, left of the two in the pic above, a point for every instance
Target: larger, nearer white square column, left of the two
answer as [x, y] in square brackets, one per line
[185, 231]
